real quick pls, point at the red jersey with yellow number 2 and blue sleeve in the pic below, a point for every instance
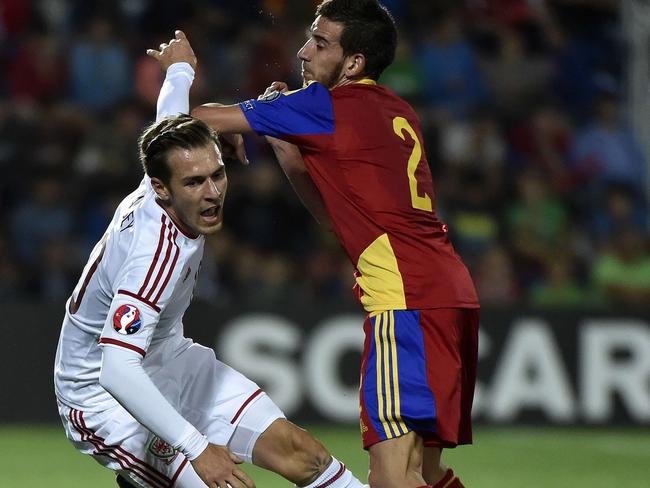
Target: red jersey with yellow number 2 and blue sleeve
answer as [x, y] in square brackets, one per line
[362, 146]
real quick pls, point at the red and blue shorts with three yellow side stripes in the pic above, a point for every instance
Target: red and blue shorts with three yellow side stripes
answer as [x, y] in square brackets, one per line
[418, 374]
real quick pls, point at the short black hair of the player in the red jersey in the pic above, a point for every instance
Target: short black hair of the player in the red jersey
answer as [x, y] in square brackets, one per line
[368, 28]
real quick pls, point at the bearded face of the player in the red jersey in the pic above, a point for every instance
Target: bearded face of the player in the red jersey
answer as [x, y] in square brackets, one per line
[322, 55]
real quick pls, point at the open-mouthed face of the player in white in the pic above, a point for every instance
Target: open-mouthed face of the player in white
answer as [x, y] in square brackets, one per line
[197, 188]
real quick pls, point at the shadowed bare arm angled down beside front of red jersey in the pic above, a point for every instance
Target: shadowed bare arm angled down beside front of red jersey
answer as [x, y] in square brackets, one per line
[292, 164]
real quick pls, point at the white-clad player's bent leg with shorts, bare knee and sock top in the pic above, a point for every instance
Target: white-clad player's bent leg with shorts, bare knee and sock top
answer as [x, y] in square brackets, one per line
[232, 410]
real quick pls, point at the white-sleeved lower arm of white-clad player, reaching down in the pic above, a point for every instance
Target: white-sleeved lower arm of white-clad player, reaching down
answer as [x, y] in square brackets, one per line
[124, 378]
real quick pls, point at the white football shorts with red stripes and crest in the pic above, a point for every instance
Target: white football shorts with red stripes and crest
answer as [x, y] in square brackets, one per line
[220, 402]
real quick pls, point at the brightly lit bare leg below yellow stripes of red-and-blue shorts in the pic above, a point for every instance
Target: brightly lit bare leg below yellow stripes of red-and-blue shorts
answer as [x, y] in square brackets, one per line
[397, 462]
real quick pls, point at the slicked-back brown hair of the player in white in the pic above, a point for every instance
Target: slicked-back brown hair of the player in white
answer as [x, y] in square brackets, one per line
[157, 140]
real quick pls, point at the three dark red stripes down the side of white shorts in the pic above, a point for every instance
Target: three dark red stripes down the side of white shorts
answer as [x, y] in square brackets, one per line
[125, 459]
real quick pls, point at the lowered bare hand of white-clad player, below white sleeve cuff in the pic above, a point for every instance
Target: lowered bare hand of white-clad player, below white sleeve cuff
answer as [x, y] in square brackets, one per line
[217, 467]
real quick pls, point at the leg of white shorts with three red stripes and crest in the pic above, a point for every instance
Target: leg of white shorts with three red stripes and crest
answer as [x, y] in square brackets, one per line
[118, 442]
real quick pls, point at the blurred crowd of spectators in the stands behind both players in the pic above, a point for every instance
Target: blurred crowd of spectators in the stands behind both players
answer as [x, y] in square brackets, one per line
[536, 171]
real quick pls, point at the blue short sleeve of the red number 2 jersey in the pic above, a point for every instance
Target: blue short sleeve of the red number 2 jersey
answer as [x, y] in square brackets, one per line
[304, 112]
